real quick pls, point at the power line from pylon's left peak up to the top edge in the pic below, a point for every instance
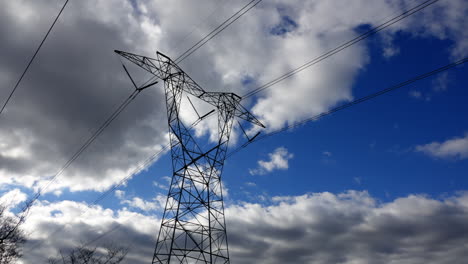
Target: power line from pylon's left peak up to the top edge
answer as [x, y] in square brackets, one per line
[218, 30]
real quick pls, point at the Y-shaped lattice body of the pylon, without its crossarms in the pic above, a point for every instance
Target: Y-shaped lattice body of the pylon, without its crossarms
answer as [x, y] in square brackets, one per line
[193, 228]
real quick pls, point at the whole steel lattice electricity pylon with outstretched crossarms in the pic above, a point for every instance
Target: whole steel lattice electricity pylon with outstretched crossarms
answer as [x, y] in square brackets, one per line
[193, 228]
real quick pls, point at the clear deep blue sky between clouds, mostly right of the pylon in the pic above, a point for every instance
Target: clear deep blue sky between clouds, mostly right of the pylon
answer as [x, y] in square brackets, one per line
[371, 146]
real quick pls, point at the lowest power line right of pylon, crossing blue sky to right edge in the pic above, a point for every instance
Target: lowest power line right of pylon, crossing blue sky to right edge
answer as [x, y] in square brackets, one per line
[354, 102]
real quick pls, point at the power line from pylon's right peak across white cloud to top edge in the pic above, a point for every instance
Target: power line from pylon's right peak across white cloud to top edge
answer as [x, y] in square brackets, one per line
[342, 47]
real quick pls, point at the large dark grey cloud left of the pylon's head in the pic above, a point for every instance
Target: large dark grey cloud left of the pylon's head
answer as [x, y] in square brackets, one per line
[72, 87]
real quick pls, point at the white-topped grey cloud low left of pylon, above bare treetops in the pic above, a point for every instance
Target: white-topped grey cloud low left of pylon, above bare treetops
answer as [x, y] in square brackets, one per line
[64, 225]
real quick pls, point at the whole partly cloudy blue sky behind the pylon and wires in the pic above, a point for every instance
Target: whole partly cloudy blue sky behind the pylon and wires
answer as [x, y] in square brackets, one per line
[401, 150]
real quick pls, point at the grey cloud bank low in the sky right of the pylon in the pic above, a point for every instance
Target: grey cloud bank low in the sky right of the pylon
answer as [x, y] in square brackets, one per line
[350, 228]
